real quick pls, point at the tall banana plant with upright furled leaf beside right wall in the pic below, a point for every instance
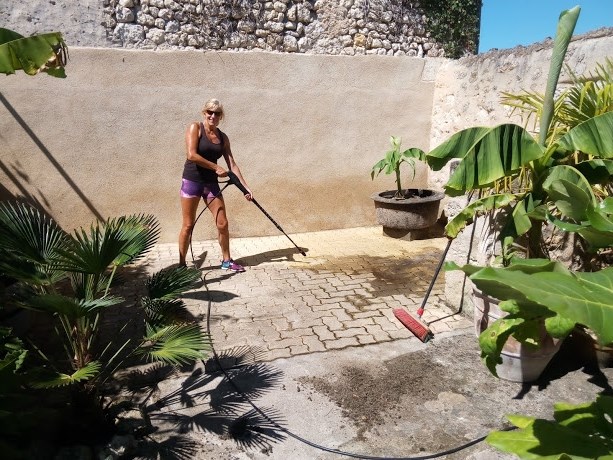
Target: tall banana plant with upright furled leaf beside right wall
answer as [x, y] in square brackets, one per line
[515, 169]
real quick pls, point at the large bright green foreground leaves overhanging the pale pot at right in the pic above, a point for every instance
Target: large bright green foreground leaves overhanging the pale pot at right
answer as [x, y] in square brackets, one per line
[534, 291]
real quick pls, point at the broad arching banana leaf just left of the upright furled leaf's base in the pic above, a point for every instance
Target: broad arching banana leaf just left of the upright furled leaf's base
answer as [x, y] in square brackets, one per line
[488, 154]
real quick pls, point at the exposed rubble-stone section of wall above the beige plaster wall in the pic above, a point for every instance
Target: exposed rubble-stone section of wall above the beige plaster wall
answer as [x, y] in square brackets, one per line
[294, 26]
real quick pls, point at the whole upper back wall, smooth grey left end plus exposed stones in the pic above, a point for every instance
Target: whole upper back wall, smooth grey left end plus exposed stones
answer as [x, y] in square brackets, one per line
[347, 27]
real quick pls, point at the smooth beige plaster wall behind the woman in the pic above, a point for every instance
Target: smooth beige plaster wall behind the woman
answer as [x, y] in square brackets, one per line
[305, 129]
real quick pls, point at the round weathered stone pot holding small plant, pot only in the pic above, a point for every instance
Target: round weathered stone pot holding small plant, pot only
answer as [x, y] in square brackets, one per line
[420, 210]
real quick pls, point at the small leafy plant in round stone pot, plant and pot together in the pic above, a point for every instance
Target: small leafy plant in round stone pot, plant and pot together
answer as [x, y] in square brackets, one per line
[403, 210]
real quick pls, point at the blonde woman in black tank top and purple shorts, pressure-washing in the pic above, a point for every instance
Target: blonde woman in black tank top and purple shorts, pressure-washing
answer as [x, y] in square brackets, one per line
[205, 145]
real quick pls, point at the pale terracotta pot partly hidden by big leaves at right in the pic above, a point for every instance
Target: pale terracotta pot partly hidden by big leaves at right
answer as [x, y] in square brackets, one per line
[520, 363]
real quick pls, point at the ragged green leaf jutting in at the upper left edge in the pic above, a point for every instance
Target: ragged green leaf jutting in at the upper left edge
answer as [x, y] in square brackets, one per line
[38, 53]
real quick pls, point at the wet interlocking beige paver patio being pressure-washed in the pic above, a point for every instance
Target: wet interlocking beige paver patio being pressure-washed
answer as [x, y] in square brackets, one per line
[341, 295]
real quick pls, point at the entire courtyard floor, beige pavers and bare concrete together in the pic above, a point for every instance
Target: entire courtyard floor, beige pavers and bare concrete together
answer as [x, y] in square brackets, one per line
[316, 366]
